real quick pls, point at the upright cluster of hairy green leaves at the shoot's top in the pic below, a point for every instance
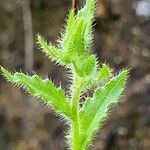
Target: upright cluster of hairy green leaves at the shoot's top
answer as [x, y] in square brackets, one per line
[77, 37]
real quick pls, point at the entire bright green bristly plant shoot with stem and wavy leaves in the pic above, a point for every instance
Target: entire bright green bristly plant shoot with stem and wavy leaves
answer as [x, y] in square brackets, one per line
[73, 52]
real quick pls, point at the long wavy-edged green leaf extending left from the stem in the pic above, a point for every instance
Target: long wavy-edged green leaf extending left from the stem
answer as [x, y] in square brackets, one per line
[44, 89]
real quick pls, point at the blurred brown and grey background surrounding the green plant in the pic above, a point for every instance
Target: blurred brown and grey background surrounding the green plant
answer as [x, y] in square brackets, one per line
[121, 38]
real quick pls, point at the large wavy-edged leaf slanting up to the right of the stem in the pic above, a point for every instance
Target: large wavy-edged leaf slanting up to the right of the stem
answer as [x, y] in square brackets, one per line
[95, 109]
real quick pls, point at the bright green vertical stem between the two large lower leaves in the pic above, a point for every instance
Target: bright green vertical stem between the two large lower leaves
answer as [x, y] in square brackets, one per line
[75, 121]
